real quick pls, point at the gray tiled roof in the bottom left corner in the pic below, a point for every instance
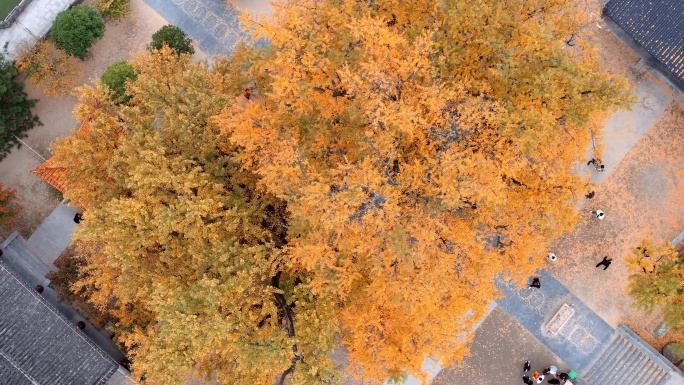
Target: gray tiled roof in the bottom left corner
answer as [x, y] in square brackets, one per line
[39, 346]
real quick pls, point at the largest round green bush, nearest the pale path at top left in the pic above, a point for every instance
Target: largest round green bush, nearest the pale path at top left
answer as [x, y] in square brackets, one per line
[77, 29]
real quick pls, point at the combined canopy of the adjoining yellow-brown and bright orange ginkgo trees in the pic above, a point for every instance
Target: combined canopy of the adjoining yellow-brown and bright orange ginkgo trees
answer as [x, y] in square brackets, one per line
[367, 177]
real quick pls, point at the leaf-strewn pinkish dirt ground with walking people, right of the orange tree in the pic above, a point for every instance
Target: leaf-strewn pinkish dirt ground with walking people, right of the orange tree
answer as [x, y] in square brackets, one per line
[643, 198]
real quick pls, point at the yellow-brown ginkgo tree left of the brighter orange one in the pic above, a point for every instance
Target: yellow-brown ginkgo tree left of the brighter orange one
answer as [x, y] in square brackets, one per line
[179, 244]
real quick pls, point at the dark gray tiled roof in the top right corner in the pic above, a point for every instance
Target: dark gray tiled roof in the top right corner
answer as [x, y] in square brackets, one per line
[657, 25]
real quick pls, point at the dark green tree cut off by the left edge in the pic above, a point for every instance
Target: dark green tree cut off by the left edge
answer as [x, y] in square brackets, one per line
[15, 108]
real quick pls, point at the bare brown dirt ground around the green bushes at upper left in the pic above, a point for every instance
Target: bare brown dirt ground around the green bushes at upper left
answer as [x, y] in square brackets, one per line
[122, 38]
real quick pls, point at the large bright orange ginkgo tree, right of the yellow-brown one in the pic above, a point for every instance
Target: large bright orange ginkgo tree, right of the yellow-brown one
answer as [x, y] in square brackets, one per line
[422, 148]
